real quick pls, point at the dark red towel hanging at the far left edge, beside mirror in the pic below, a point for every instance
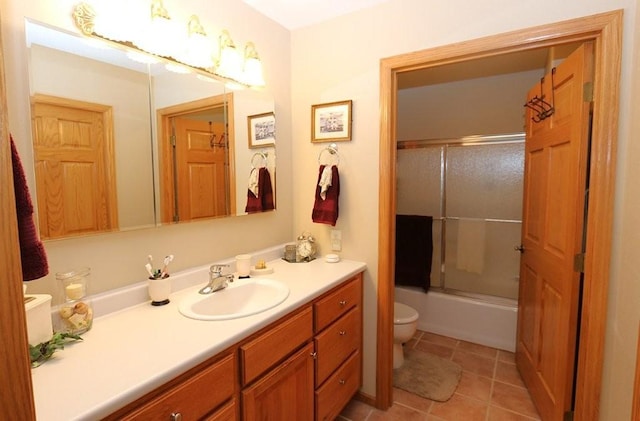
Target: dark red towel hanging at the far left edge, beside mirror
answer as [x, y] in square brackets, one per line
[32, 253]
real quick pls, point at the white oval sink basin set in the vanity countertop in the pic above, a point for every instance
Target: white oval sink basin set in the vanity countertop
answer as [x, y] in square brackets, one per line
[240, 299]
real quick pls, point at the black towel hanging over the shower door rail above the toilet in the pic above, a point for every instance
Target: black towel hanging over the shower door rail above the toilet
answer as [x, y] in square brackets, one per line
[414, 250]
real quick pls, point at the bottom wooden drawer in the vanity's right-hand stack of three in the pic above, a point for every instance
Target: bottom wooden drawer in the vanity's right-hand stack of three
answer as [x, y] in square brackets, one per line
[338, 390]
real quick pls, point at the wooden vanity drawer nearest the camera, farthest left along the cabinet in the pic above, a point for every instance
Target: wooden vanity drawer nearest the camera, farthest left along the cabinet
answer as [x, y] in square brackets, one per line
[193, 398]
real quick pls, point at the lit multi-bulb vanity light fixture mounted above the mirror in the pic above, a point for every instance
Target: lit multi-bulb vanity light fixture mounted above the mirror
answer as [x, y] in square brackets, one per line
[151, 30]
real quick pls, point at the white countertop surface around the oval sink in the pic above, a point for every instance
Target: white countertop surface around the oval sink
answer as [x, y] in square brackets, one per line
[131, 351]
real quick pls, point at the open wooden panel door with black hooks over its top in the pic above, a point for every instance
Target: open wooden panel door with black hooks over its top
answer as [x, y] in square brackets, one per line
[556, 154]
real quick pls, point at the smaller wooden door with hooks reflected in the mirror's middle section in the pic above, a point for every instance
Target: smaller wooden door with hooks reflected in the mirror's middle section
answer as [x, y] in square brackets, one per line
[201, 168]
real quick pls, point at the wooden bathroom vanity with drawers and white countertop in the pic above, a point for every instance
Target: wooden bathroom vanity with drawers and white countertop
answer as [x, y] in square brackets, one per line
[298, 360]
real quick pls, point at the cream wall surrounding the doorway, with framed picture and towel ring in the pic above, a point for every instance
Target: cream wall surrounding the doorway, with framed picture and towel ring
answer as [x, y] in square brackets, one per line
[340, 60]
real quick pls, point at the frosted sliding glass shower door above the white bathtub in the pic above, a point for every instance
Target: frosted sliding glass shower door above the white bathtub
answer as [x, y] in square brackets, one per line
[473, 189]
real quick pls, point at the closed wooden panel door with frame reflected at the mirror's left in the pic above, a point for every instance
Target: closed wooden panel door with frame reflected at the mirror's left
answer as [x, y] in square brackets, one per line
[75, 172]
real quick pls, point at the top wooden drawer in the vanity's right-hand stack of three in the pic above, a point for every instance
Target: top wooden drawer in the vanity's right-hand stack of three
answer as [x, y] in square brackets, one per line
[338, 303]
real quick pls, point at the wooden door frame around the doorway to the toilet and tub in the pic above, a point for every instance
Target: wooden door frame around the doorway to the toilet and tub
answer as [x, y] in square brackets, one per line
[605, 30]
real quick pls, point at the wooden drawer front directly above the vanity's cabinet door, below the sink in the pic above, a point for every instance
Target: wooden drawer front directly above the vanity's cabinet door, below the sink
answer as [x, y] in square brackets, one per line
[261, 353]
